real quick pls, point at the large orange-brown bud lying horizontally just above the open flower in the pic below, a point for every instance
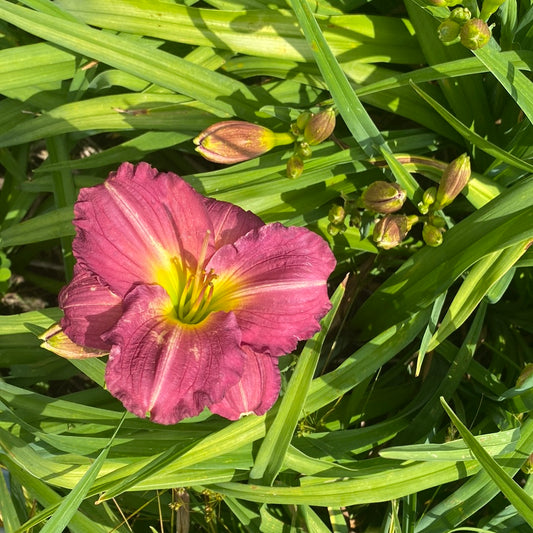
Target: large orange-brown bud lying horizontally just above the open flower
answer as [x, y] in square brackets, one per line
[233, 141]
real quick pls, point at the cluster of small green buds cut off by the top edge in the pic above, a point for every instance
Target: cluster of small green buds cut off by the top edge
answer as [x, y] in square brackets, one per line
[473, 33]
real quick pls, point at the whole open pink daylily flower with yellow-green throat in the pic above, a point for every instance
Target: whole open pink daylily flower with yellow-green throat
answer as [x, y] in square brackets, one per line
[194, 299]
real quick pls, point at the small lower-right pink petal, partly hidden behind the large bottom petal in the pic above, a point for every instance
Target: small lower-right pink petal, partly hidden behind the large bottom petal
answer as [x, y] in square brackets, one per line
[256, 391]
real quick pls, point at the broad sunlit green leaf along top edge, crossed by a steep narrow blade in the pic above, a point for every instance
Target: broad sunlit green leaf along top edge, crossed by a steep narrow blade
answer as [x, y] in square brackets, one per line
[258, 32]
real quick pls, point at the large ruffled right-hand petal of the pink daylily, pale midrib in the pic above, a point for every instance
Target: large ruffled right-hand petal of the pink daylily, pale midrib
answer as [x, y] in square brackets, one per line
[274, 280]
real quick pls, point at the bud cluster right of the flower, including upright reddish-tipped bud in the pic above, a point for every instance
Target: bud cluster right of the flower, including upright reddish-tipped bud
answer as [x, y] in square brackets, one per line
[381, 202]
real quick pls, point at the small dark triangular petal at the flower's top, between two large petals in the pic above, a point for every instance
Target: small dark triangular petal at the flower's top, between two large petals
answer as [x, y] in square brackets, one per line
[230, 221]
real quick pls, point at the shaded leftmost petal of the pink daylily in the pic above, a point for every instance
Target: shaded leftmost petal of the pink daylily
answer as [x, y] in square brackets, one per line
[90, 309]
